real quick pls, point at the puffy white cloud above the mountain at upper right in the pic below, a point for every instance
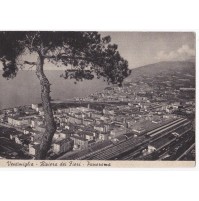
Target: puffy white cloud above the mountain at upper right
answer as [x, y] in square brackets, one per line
[181, 54]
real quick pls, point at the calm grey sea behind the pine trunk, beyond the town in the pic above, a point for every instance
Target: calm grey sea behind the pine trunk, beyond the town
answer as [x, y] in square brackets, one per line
[25, 89]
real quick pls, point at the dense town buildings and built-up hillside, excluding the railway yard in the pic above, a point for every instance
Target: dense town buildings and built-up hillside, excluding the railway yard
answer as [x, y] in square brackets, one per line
[106, 117]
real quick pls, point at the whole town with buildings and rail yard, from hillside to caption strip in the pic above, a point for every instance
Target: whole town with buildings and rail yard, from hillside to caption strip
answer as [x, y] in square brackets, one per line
[148, 118]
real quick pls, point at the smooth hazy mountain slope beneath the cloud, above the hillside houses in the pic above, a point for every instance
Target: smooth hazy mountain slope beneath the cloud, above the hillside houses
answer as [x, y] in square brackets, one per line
[164, 67]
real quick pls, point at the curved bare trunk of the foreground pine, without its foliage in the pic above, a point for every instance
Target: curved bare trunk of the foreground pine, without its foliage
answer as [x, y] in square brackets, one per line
[48, 114]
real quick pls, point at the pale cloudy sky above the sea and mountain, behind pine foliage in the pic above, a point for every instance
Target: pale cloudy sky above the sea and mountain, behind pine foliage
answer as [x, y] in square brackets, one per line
[142, 48]
